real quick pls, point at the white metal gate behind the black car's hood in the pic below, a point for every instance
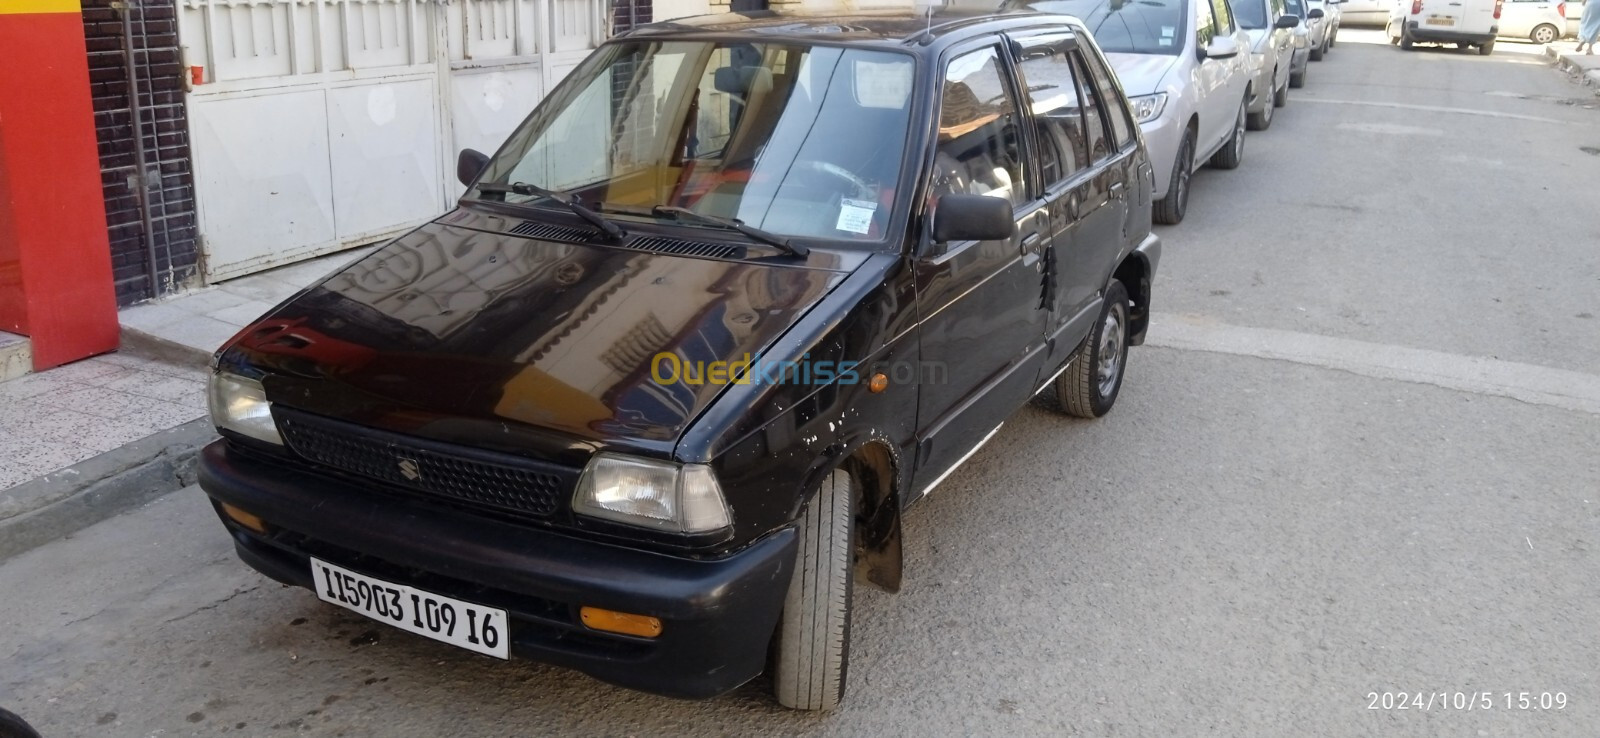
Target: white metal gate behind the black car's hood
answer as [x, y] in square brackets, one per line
[330, 124]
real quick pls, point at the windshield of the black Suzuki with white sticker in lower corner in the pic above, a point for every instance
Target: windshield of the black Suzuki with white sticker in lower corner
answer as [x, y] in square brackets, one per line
[791, 138]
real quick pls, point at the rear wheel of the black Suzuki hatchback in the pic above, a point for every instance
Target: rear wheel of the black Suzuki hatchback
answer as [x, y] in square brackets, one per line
[1090, 385]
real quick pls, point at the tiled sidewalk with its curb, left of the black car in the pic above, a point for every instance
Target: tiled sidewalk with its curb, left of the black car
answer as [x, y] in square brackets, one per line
[100, 436]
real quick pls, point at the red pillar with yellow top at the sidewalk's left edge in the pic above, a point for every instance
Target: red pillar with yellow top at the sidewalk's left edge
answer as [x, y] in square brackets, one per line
[55, 257]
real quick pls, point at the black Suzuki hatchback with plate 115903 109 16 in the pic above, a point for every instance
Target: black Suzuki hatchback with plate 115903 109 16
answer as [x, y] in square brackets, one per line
[735, 295]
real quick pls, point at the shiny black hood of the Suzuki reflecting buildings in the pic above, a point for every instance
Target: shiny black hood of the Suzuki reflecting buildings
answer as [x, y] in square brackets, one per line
[466, 334]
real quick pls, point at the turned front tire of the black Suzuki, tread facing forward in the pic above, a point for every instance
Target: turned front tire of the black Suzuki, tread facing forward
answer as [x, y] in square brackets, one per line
[812, 657]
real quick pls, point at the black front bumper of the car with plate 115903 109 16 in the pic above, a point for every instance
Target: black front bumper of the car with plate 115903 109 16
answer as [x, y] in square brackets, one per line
[718, 616]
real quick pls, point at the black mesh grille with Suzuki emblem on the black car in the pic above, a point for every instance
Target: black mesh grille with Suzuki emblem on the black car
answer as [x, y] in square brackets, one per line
[447, 471]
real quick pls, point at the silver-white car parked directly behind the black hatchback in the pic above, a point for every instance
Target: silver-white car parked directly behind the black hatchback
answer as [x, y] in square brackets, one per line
[1186, 70]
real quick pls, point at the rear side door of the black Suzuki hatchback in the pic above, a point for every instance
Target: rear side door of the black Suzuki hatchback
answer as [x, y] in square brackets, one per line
[1090, 167]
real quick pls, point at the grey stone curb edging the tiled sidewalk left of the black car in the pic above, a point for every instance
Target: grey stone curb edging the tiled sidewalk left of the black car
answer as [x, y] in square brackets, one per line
[70, 500]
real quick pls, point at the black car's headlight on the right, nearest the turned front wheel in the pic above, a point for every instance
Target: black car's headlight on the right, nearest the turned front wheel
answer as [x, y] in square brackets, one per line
[679, 499]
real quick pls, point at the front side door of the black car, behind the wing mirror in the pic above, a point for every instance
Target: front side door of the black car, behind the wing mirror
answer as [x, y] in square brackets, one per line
[983, 324]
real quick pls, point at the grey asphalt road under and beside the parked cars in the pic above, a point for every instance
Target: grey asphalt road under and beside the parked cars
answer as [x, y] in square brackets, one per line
[1290, 510]
